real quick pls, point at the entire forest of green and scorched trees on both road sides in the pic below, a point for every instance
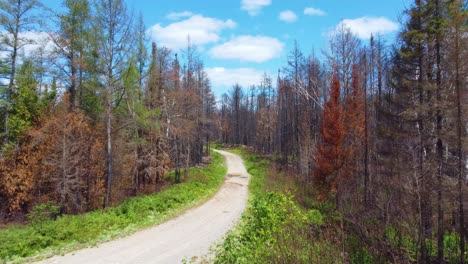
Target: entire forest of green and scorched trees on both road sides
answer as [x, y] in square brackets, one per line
[377, 128]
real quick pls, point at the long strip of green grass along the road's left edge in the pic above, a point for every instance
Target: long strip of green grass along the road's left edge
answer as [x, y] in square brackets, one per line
[35, 241]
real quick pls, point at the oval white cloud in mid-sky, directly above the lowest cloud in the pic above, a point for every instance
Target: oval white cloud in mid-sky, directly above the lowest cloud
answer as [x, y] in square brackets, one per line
[248, 48]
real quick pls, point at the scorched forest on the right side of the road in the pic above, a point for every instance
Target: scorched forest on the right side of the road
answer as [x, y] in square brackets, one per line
[378, 128]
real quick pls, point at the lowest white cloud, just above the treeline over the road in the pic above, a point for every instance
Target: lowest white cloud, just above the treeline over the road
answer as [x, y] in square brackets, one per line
[245, 77]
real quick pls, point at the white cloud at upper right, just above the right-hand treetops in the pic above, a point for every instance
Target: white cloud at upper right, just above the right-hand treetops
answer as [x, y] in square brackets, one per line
[364, 27]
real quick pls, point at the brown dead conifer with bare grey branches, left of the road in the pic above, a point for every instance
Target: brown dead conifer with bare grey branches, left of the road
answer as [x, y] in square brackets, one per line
[72, 160]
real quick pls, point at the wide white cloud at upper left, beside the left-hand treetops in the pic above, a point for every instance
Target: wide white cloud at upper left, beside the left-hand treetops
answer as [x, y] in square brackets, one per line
[202, 30]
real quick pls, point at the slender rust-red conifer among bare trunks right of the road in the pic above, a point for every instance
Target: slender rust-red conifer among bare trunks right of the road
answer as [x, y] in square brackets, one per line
[330, 151]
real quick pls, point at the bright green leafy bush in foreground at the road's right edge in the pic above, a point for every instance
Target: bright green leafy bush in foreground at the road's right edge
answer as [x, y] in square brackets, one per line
[257, 238]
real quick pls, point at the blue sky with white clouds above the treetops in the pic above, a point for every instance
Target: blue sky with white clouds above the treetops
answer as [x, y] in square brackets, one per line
[239, 40]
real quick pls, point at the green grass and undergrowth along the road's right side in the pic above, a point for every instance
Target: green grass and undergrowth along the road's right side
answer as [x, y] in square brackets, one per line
[275, 228]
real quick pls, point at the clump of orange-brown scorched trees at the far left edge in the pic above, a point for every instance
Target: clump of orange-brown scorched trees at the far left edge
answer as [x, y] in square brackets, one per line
[59, 160]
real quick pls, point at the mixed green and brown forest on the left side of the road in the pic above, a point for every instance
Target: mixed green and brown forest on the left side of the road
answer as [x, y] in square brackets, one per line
[100, 118]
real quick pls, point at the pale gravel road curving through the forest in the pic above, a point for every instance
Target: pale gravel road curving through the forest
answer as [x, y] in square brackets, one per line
[186, 237]
